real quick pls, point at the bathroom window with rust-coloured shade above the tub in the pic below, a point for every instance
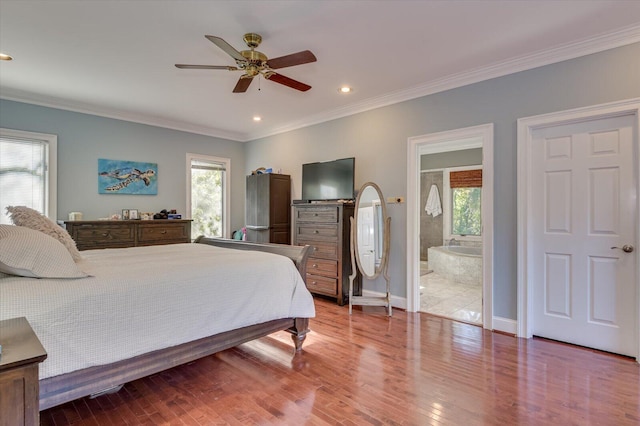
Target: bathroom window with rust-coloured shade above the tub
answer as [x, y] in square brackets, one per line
[463, 200]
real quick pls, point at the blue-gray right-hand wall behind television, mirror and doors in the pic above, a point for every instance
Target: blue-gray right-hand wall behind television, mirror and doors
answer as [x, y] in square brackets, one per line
[378, 140]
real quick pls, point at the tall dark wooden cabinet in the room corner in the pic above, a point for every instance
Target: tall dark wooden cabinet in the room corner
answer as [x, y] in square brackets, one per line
[268, 211]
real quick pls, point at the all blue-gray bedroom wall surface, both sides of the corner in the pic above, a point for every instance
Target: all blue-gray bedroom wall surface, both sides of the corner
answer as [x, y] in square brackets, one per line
[377, 138]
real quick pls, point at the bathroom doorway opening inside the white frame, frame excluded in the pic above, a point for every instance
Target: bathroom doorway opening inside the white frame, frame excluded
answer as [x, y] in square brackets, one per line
[451, 235]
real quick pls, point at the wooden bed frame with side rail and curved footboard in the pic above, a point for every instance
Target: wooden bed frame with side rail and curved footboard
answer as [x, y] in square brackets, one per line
[77, 384]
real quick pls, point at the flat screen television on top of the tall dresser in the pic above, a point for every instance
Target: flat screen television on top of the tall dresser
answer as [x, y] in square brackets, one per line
[329, 180]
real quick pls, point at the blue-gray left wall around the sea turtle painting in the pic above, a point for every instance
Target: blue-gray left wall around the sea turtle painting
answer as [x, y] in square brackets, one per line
[83, 138]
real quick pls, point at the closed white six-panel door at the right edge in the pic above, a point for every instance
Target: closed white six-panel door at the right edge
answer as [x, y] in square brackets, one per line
[584, 198]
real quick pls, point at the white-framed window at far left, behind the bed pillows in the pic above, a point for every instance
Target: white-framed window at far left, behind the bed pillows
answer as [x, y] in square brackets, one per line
[27, 172]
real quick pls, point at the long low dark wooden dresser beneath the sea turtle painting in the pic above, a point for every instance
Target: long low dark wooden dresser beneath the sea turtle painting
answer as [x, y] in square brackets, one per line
[99, 234]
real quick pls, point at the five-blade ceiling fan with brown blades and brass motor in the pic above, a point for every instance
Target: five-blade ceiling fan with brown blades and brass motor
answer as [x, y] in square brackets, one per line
[255, 63]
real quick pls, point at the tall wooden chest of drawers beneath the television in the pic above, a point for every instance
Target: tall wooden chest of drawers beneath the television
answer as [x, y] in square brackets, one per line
[326, 228]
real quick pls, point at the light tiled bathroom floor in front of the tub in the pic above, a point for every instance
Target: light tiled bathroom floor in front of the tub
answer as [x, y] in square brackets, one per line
[457, 301]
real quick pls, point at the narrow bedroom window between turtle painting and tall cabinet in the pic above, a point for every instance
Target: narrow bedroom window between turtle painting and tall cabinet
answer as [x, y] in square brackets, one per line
[207, 195]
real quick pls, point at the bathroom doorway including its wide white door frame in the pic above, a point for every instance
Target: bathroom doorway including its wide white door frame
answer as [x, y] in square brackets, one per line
[459, 262]
